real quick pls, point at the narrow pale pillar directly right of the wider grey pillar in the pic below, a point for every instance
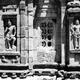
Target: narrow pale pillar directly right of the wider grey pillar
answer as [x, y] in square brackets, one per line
[30, 27]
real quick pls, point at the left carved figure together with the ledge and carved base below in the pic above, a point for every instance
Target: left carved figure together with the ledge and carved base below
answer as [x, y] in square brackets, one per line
[9, 55]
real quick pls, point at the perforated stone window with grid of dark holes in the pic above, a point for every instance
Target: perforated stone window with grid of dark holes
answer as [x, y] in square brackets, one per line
[47, 33]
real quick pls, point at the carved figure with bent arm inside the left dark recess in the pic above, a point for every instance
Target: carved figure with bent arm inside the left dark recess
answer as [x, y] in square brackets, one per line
[10, 33]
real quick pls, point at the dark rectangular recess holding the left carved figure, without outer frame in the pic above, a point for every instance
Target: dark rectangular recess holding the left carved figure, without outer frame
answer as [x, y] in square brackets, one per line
[10, 34]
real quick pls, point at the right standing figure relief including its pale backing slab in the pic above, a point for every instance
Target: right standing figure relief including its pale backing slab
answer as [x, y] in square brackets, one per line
[75, 35]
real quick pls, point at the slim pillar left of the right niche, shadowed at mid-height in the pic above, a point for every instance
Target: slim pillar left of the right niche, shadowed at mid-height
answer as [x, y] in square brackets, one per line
[62, 35]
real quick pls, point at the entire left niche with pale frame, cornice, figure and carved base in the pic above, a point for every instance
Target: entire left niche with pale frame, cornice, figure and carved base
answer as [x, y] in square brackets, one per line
[8, 36]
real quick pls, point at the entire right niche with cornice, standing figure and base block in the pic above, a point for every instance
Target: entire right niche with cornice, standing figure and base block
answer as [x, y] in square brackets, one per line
[73, 33]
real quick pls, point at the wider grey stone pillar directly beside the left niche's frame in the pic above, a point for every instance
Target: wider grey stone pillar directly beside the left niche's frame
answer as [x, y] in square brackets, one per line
[23, 34]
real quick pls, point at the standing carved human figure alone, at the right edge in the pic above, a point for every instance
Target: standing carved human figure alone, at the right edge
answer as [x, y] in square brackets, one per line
[75, 34]
